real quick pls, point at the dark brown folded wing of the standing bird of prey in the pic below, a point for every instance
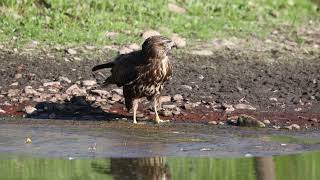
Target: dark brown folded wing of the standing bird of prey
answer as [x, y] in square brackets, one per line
[128, 68]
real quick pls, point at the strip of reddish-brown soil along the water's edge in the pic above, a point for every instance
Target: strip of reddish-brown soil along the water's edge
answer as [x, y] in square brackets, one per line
[306, 120]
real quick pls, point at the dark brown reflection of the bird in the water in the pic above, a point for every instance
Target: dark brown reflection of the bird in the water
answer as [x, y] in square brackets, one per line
[153, 168]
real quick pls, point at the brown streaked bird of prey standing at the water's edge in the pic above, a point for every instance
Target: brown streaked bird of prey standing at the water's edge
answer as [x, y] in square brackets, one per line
[142, 73]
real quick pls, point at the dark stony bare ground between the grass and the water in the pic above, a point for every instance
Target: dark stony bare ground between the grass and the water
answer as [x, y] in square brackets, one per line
[272, 82]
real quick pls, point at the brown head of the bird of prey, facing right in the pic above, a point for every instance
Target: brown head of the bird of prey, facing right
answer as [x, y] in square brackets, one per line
[157, 46]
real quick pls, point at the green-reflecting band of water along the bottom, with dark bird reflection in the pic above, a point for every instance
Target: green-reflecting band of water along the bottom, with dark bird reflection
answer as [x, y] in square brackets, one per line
[292, 167]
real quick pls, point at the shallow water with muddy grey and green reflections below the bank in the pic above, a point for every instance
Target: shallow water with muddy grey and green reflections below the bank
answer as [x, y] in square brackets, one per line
[183, 152]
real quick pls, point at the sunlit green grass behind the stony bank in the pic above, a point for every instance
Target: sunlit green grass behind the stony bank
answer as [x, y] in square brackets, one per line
[86, 22]
